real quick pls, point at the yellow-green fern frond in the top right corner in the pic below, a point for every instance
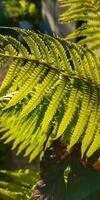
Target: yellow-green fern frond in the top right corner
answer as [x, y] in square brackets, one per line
[88, 12]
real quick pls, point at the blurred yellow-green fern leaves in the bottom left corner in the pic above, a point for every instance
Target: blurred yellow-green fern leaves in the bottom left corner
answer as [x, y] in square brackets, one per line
[16, 185]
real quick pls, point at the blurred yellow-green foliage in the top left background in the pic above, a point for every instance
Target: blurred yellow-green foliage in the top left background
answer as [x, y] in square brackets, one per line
[12, 12]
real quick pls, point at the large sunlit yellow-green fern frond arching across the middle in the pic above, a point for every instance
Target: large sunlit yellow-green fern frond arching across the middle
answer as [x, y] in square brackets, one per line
[52, 90]
